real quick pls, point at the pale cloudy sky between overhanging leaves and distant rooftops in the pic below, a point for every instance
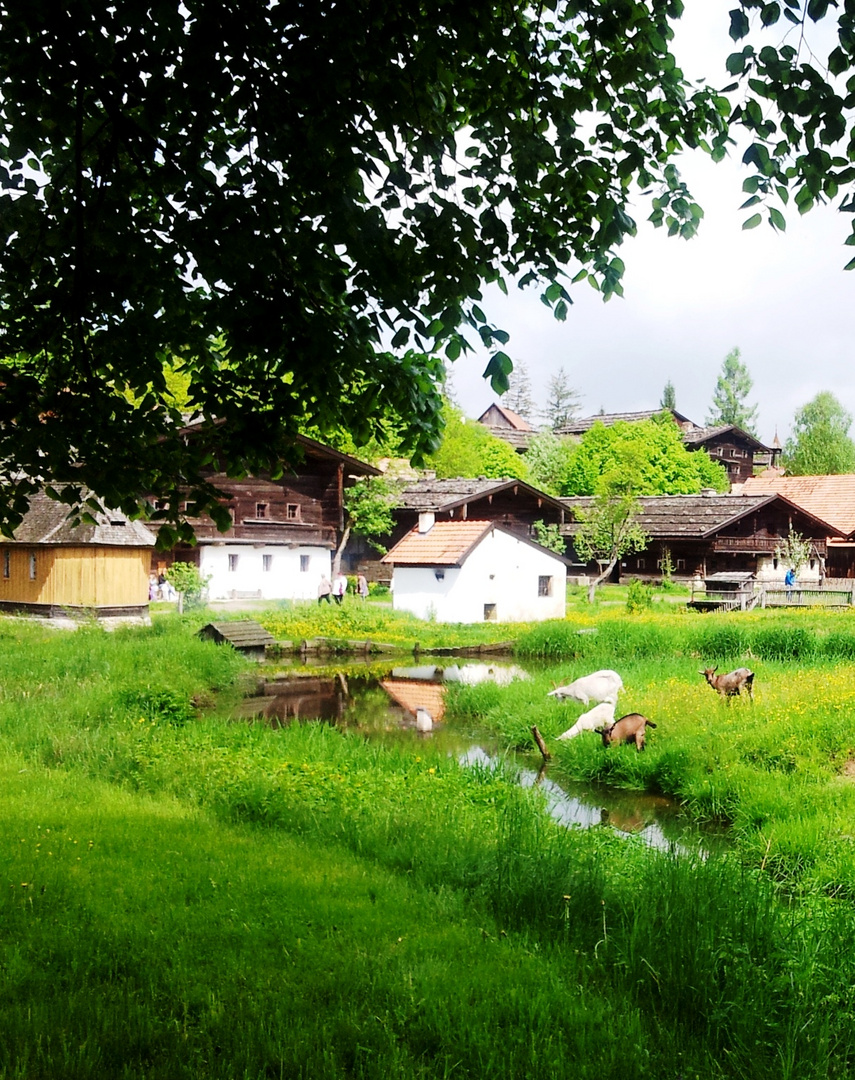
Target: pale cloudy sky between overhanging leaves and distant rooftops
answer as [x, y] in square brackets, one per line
[783, 300]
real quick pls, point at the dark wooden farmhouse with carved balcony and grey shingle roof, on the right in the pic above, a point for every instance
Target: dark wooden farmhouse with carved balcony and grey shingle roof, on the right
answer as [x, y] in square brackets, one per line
[716, 534]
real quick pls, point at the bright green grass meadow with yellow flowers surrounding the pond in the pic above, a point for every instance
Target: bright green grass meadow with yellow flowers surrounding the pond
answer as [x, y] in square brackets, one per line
[184, 896]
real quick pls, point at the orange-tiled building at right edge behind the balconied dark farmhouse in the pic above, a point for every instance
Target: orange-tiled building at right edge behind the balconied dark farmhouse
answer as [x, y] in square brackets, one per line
[830, 498]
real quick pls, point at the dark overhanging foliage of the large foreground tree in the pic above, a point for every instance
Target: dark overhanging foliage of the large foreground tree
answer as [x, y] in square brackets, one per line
[298, 206]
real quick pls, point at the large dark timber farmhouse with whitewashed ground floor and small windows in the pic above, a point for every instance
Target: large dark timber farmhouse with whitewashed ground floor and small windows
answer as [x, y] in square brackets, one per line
[283, 531]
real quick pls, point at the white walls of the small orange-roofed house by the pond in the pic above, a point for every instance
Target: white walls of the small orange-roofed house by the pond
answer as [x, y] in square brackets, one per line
[503, 571]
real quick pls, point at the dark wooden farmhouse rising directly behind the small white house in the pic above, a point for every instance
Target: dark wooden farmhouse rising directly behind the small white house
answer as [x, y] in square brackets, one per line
[511, 504]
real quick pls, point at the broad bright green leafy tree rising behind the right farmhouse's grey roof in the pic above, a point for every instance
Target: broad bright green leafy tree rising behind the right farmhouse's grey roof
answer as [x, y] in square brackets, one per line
[657, 453]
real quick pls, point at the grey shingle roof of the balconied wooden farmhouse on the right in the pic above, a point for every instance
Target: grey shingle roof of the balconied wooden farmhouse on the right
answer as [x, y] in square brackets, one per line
[699, 516]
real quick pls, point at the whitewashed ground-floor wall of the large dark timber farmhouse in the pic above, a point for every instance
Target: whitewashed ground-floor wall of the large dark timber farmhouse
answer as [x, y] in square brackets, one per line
[284, 580]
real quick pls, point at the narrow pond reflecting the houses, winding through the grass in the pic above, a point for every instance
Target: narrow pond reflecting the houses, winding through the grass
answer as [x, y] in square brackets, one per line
[405, 704]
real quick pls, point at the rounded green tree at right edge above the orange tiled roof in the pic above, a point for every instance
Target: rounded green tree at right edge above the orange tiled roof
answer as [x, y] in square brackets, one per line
[821, 442]
